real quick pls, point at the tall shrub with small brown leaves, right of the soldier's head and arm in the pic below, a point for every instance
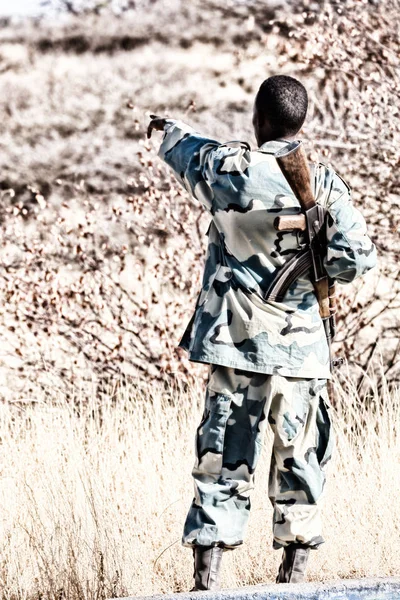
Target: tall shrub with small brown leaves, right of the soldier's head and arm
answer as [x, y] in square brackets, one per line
[354, 49]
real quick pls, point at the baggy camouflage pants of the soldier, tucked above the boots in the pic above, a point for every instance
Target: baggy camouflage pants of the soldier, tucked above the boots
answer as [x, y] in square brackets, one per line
[238, 405]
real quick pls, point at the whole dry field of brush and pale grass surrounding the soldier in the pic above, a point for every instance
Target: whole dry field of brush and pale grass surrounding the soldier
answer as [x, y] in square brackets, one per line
[100, 262]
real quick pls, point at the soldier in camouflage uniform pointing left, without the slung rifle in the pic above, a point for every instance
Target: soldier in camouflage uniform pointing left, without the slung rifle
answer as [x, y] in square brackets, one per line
[268, 361]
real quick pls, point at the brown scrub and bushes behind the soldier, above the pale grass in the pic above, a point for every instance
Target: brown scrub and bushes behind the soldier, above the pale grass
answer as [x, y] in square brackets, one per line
[102, 251]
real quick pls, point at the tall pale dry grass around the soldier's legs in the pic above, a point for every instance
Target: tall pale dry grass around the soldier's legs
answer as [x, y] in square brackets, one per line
[93, 496]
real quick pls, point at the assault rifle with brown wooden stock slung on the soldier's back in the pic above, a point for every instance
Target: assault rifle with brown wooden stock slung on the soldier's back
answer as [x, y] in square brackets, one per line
[293, 163]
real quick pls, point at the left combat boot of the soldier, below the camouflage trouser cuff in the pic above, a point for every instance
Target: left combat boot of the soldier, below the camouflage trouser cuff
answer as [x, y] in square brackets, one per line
[207, 566]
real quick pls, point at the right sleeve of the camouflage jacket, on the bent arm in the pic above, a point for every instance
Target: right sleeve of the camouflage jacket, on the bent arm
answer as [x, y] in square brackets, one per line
[350, 252]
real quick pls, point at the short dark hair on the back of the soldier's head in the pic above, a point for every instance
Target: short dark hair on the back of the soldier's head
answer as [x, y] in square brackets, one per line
[283, 102]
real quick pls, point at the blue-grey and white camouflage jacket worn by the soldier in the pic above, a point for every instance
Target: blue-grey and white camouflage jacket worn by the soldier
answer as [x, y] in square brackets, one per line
[244, 191]
